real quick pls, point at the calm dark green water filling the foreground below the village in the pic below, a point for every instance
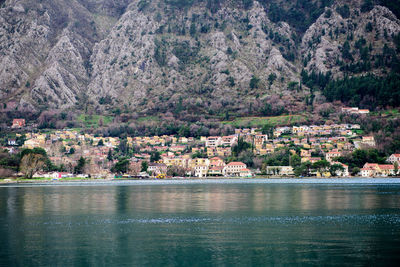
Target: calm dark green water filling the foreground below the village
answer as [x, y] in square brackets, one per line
[200, 225]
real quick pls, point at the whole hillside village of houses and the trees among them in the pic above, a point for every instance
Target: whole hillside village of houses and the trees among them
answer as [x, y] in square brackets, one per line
[316, 148]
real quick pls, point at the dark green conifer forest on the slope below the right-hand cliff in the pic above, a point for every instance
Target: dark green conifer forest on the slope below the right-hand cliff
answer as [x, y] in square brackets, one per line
[365, 90]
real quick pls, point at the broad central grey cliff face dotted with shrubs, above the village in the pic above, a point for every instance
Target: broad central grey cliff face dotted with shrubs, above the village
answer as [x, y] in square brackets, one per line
[155, 56]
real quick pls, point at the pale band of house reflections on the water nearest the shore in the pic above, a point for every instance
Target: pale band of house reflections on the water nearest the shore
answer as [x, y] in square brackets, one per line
[202, 198]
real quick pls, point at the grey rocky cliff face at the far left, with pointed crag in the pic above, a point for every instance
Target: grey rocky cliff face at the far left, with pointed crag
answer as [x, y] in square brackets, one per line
[45, 47]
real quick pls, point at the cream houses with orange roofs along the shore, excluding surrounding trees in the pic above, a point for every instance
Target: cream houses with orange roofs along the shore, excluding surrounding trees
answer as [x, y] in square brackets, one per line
[208, 156]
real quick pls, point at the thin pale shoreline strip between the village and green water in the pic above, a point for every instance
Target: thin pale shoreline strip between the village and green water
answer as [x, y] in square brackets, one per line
[177, 181]
